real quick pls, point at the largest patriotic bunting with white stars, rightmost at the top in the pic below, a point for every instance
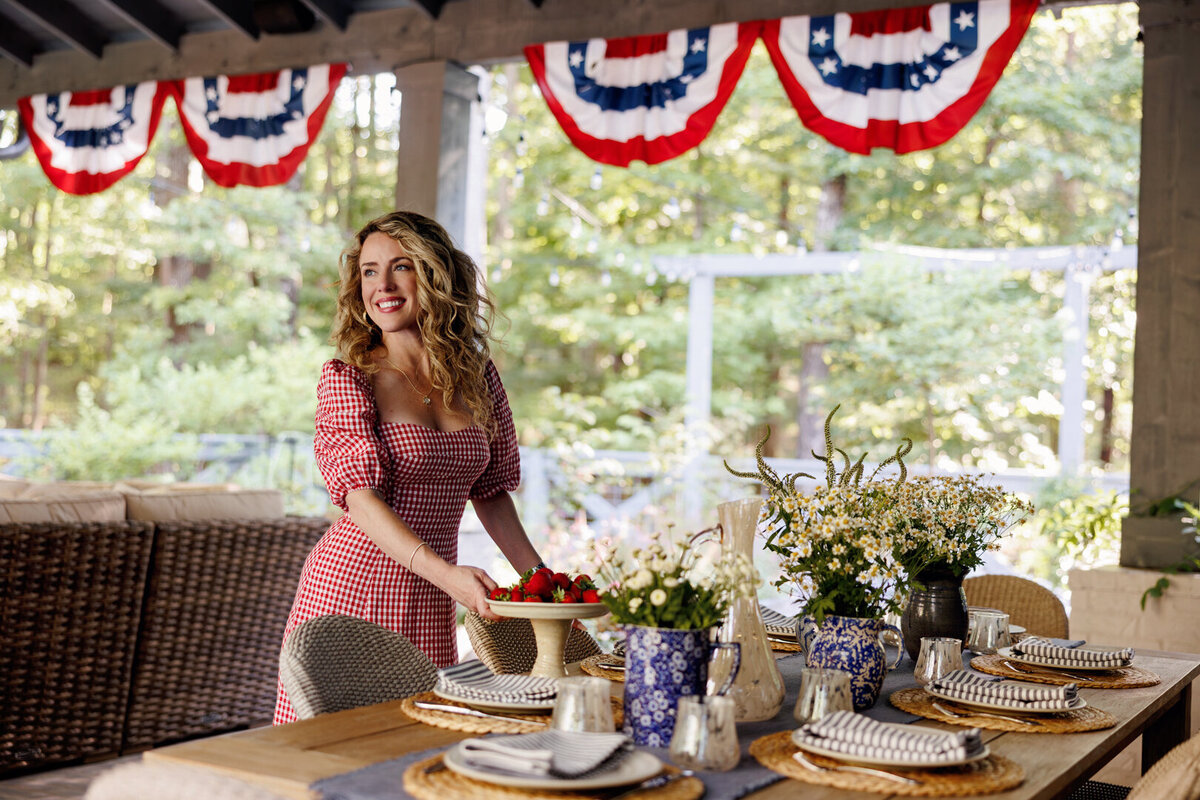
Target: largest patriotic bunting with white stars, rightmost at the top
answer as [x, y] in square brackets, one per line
[907, 79]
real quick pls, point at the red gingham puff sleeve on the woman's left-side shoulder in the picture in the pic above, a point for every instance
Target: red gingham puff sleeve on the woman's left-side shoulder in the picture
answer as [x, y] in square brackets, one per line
[347, 448]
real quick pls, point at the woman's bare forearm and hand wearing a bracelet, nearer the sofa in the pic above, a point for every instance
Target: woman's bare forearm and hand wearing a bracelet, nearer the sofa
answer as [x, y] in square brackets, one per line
[467, 585]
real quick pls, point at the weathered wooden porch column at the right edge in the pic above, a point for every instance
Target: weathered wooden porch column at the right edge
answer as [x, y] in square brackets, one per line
[1166, 448]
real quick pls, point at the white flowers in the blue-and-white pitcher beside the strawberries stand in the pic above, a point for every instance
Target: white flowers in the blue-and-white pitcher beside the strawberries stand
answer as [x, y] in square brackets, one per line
[673, 586]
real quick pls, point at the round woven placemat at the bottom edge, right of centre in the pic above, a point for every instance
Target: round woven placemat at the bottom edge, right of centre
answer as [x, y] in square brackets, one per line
[987, 777]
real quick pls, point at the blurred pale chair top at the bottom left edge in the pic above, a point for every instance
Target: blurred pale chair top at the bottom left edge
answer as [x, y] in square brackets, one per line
[142, 780]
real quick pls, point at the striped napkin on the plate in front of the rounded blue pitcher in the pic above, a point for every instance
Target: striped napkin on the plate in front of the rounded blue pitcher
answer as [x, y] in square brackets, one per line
[855, 736]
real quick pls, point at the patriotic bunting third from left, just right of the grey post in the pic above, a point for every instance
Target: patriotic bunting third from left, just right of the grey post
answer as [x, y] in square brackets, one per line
[644, 98]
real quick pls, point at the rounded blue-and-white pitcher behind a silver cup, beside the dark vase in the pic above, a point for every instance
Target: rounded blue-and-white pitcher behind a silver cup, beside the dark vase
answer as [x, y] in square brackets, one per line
[854, 646]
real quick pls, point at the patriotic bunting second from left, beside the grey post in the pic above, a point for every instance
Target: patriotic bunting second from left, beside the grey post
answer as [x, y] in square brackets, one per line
[256, 130]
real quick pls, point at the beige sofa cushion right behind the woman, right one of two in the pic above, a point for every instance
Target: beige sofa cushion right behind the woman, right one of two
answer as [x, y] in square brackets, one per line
[196, 503]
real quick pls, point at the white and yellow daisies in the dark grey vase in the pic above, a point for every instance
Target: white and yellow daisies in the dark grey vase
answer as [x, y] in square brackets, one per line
[953, 521]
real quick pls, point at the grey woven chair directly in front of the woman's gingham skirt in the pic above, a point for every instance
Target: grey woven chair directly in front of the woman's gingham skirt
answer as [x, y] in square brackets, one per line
[338, 663]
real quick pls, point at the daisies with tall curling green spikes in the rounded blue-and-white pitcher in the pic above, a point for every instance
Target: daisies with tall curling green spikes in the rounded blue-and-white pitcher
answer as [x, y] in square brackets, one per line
[837, 544]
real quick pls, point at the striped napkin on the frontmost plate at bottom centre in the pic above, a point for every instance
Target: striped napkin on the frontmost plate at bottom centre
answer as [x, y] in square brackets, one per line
[555, 754]
